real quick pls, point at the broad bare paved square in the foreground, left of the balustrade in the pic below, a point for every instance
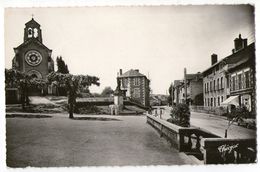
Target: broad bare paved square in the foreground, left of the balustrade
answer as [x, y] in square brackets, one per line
[60, 141]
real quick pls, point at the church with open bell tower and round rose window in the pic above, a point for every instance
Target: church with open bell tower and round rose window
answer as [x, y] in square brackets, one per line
[32, 57]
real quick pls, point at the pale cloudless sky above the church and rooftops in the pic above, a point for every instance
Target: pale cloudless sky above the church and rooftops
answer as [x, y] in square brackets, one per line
[160, 41]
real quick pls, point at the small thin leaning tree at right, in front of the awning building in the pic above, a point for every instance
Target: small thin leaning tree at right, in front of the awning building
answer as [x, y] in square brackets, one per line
[237, 113]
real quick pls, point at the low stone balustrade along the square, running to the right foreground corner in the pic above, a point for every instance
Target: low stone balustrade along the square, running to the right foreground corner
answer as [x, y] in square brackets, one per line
[204, 145]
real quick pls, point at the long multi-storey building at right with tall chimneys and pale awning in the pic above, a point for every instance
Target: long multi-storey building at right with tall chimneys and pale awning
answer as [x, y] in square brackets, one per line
[220, 77]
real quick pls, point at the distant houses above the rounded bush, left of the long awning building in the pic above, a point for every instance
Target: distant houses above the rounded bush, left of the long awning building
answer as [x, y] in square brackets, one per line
[194, 89]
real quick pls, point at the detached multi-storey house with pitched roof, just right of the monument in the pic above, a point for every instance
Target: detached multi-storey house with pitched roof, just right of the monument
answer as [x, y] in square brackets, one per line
[135, 85]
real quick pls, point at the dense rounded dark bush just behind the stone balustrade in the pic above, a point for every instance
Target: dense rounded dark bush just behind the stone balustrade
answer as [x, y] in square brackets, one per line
[181, 115]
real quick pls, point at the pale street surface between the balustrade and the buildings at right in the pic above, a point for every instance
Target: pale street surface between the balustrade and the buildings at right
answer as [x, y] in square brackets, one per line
[216, 125]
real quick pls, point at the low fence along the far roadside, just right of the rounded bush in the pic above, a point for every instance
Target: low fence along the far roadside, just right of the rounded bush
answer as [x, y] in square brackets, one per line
[209, 109]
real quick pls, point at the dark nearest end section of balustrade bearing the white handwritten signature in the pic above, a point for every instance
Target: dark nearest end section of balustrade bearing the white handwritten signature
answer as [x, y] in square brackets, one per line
[226, 151]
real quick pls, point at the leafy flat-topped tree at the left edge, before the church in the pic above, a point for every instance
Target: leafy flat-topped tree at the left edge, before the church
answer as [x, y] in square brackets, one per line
[22, 81]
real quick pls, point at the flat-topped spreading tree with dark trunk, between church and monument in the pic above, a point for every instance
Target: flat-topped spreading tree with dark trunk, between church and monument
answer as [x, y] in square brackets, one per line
[72, 83]
